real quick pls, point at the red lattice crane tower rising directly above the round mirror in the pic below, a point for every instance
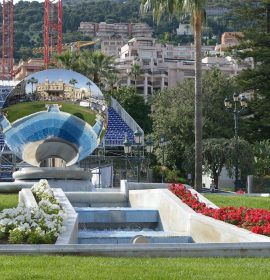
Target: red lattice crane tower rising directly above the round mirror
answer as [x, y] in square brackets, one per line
[53, 15]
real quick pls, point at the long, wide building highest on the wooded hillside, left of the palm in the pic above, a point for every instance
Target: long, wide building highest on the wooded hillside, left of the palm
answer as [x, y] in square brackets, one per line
[123, 30]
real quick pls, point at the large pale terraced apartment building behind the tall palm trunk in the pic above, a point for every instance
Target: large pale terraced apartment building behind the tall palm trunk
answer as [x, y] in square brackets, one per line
[164, 66]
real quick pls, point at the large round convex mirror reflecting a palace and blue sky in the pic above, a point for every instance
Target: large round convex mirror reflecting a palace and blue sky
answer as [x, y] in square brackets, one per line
[54, 115]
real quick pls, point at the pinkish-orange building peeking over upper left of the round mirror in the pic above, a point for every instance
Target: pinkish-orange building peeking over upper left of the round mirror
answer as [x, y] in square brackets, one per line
[25, 68]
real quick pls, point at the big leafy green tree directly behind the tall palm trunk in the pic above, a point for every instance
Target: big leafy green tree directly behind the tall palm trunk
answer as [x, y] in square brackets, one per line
[173, 115]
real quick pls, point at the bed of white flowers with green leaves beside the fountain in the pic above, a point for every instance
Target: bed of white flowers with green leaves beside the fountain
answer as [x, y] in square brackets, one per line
[37, 225]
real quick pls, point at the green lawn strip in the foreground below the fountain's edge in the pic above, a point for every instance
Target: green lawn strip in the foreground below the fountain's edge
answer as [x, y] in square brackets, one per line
[78, 267]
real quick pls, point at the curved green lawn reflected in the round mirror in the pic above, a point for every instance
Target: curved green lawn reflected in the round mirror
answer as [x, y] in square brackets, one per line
[23, 109]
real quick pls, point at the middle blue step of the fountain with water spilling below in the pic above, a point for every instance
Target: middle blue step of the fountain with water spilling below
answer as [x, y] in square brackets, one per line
[118, 217]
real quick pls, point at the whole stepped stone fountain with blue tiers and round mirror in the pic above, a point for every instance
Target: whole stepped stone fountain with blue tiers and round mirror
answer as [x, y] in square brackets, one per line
[55, 118]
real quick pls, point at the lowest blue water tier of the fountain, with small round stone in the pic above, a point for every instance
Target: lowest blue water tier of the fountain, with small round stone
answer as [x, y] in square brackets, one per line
[124, 237]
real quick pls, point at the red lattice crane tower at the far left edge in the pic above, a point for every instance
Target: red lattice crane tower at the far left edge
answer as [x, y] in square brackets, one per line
[7, 39]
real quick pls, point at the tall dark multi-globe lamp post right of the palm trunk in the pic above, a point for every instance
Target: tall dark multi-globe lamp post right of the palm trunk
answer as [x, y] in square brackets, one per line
[236, 111]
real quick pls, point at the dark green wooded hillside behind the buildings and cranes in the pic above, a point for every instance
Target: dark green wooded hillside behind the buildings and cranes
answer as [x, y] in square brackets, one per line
[28, 18]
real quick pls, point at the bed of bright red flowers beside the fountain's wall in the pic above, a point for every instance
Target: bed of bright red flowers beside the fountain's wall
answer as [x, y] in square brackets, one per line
[255, 220]
